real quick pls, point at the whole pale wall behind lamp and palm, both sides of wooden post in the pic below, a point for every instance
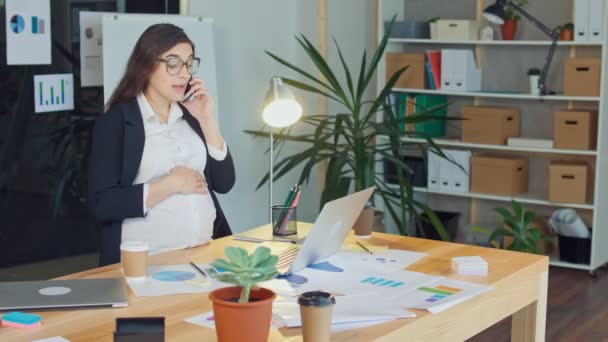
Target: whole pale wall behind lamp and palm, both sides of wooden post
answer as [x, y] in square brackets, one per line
[242, 35]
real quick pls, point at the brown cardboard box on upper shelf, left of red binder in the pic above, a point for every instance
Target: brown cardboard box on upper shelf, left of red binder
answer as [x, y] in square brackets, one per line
[413, 77]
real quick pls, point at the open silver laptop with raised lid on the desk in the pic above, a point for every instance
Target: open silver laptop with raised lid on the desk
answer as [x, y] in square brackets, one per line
[326, 235]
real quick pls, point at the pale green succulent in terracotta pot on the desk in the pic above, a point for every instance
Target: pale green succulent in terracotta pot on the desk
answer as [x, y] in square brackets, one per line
[243, 312]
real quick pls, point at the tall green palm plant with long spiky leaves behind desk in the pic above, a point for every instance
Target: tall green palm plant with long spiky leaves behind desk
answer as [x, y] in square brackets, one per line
[353, 142]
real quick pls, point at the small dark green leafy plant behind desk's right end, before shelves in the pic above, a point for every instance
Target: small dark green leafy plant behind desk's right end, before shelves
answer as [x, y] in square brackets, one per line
[519, 231]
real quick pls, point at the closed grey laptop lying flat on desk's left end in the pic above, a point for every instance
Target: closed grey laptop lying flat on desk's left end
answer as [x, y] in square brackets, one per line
[54, 294]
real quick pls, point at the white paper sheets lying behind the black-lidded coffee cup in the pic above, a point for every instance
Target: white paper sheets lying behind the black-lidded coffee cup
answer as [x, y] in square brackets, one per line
[348, 309]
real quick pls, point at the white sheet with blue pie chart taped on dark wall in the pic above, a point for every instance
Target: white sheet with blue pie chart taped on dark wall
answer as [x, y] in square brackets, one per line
[28, 32]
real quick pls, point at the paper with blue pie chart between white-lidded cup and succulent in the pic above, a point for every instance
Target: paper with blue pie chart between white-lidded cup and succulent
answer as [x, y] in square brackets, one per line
[173, 279]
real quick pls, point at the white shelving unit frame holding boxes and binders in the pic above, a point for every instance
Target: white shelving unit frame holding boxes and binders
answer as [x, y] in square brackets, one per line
[598, 210]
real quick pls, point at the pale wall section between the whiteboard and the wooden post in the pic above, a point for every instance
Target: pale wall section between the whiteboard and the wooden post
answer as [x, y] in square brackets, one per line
[242, 34]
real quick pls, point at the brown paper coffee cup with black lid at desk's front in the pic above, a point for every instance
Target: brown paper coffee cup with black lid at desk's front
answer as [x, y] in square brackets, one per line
[316, 309]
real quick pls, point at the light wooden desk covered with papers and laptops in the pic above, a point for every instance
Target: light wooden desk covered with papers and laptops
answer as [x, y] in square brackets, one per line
[519, 281]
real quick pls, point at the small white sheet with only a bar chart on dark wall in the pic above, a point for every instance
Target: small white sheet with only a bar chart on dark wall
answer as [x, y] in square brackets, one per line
[53, 92]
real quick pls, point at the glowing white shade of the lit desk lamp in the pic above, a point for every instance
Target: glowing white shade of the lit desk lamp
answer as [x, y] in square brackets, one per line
[280, 106]
